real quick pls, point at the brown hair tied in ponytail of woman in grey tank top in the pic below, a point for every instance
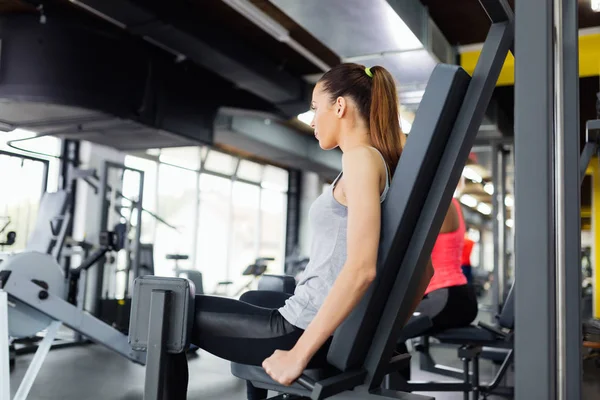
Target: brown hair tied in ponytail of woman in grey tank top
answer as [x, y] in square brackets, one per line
[377, 102]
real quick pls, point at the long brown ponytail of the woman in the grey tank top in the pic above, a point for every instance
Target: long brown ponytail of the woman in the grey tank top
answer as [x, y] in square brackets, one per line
[384, 121]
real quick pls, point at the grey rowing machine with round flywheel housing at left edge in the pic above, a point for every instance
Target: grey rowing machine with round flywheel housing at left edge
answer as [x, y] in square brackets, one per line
[34, 296]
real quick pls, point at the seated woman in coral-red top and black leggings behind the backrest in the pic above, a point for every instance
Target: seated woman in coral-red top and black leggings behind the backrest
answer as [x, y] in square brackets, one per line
[449, 300]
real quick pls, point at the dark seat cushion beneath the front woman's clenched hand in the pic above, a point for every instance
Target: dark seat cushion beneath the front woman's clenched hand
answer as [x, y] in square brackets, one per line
[260, 379]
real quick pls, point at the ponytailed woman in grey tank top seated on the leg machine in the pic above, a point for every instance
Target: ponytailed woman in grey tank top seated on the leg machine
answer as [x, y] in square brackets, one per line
[355, 109]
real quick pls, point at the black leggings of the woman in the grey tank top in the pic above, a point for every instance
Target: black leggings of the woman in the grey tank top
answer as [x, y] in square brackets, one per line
[237, 331]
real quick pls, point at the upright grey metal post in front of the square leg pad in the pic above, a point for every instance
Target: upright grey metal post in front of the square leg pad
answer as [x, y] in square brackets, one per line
[154, 382]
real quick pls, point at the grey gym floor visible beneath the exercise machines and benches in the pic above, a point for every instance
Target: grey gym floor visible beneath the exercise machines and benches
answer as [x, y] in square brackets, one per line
[92, 372]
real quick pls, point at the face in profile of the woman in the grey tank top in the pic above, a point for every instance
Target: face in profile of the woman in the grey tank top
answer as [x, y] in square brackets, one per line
[326, 120]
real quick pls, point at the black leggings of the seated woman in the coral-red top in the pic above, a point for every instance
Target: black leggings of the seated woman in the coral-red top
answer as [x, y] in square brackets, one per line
[451, 307]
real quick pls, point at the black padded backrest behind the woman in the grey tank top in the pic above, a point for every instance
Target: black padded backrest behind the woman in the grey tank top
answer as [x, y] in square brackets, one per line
[400, 212]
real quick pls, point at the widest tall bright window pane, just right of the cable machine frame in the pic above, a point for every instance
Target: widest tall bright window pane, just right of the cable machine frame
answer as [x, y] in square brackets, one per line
[177, 195]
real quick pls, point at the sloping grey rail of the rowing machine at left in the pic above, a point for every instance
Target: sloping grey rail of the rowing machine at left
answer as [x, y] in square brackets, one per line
[82, 322]
